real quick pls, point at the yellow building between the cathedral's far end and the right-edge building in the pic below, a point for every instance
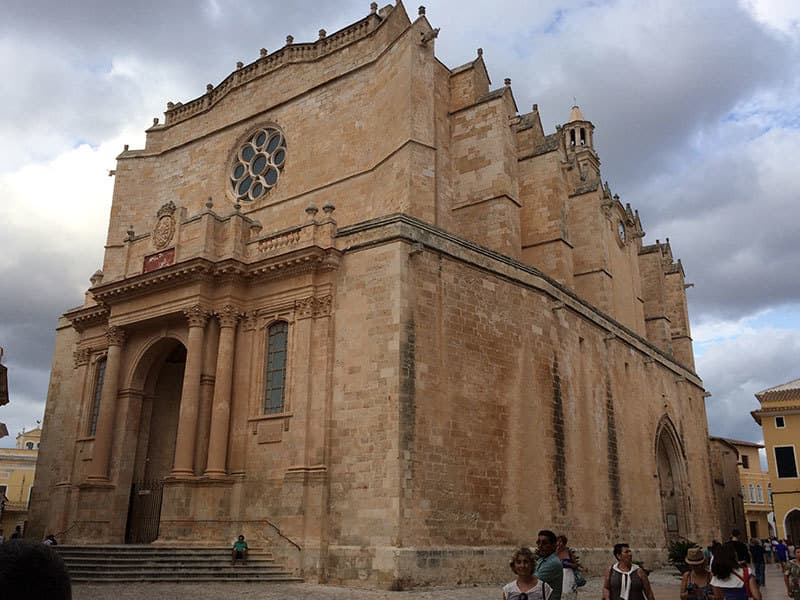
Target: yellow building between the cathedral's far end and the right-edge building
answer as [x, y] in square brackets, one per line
[755, 489]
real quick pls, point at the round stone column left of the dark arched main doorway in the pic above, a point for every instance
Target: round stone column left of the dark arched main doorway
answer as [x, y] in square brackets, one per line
[101, 452]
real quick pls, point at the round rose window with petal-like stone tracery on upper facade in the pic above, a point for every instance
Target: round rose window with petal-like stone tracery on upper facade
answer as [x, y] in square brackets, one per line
[258, 164]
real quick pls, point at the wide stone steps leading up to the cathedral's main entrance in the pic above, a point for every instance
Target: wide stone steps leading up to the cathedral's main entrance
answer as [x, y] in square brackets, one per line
[138, 563]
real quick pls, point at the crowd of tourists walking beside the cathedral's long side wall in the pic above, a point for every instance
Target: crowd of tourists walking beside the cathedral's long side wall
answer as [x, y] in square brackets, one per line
[720, 572]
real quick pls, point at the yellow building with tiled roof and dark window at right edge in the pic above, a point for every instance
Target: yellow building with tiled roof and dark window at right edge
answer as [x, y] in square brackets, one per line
[779, 417]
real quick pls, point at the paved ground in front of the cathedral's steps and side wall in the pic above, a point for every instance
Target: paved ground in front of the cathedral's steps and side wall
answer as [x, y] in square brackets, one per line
[666, 586]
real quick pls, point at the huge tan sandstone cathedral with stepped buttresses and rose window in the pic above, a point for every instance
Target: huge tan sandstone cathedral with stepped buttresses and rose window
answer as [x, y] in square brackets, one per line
[357, 306]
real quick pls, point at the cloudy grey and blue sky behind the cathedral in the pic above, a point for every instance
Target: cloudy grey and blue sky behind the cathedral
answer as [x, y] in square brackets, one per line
[696, 105]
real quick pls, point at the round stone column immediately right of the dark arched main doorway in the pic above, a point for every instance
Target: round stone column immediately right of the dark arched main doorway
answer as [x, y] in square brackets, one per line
[190, 396]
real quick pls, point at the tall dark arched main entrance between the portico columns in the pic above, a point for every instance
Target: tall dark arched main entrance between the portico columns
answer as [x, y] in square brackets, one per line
[158, 426]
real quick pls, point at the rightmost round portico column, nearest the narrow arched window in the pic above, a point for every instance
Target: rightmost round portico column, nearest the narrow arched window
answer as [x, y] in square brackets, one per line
[221, 410]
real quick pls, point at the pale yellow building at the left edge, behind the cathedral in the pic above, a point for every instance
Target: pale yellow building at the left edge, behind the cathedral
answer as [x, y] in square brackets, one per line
[17, 469]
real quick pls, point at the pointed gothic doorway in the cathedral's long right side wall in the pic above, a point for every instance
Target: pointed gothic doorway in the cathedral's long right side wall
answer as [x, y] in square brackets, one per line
[671, 481]
